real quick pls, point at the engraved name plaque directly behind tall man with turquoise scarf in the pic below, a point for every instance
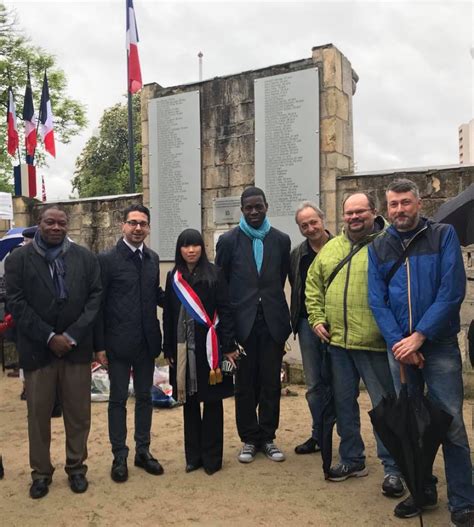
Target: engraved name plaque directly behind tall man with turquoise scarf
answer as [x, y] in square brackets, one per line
[287, 144]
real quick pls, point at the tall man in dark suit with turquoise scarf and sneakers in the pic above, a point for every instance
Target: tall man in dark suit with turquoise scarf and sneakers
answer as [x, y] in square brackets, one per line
[255, 258]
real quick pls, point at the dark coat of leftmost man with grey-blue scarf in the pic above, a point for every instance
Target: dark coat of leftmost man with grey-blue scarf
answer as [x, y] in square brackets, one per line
[37, 313]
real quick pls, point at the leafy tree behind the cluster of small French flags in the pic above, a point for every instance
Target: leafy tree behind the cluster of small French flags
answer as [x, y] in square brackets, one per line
[15, 54]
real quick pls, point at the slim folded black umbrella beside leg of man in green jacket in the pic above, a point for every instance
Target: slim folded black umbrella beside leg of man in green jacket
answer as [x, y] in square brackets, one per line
[326, 413]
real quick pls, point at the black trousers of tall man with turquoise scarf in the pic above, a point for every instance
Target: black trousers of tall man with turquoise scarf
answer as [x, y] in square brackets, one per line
[258, 386]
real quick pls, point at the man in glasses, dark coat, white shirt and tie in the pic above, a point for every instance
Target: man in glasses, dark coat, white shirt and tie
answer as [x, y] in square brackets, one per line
[128, 337]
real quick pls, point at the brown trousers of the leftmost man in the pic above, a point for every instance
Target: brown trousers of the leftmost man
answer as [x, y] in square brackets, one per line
[73, 384]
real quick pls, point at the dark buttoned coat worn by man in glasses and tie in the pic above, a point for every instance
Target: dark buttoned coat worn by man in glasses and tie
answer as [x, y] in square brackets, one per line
[128, 322]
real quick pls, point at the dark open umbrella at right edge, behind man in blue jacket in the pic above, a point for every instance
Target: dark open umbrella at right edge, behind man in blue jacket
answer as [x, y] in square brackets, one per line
[459, 212]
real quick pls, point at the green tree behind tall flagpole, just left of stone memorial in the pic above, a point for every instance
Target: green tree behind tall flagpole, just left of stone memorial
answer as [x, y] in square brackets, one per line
[102, 166]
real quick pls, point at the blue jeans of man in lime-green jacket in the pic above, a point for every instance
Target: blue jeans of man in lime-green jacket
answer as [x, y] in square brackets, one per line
[348, 367]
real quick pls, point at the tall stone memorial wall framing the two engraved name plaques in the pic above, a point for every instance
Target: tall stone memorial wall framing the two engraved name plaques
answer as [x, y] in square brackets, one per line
[228, 126]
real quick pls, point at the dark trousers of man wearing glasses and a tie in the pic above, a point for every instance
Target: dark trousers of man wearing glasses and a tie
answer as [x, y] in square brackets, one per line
[119, 373]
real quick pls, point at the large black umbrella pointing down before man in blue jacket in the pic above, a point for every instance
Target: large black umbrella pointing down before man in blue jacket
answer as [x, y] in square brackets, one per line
[412, 429]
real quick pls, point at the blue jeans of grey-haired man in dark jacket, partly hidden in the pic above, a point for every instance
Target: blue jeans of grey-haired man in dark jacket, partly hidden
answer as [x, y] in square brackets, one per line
[311, 354]
